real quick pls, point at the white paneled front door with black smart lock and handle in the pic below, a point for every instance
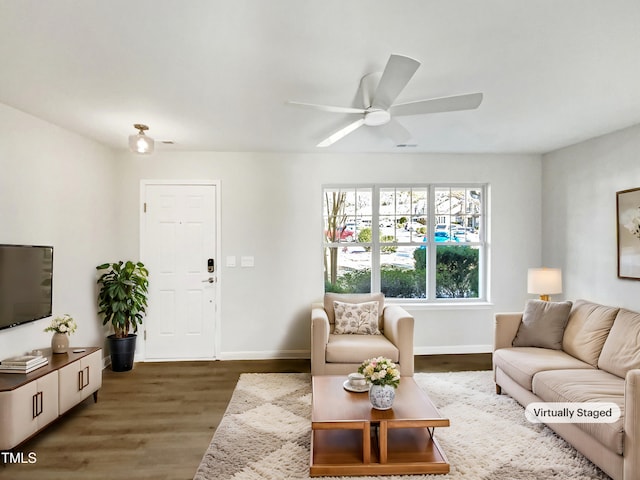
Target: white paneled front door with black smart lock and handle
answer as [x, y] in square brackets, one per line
[179, 249]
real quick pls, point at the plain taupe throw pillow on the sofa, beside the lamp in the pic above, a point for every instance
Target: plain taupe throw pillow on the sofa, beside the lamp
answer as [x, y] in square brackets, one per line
[542, 324]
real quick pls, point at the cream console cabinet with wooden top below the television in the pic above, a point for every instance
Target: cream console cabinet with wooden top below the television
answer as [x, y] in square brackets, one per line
[29, 402]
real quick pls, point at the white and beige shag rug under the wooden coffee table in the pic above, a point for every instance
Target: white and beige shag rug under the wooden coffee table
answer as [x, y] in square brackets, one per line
[266, 430]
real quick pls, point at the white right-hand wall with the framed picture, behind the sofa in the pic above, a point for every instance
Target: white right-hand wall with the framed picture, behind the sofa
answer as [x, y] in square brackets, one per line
[579, 205]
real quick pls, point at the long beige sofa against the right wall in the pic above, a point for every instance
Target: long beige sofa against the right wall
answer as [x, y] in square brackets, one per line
[599, 361]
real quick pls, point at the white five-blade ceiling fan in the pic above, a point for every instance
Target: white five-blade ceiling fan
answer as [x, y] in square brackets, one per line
[380, 90]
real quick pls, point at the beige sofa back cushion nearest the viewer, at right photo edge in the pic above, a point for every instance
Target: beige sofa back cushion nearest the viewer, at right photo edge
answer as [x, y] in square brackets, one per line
[621, 350]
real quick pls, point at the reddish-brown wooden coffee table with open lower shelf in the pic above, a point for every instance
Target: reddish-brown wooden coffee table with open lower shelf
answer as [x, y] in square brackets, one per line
[349, 437]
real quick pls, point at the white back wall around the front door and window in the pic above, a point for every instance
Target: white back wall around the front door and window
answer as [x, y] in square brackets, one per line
[271, 209]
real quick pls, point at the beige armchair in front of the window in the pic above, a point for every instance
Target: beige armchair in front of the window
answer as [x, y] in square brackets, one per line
[340, 354]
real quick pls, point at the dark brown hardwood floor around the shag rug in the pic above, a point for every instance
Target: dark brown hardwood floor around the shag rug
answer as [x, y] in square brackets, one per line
[156, 421]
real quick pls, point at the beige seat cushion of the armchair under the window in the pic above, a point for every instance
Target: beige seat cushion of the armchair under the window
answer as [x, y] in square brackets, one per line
[357, 348]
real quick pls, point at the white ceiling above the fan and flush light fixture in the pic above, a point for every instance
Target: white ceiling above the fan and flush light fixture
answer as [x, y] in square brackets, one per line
[215, 75]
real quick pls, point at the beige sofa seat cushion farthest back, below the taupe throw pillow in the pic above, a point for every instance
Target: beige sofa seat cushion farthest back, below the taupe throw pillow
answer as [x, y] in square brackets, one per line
[522, 363]
